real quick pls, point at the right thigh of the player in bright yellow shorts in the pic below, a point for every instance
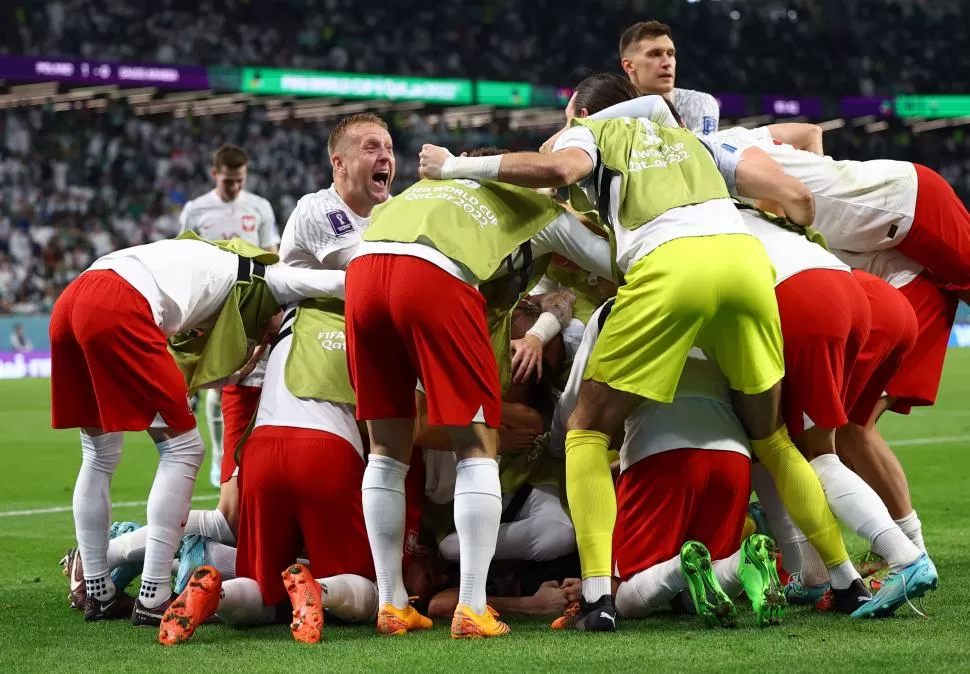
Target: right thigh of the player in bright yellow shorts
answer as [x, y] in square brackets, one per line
[744, 336]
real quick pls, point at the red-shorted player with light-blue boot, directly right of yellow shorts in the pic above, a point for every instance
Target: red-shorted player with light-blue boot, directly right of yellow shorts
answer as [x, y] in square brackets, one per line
[826, 322]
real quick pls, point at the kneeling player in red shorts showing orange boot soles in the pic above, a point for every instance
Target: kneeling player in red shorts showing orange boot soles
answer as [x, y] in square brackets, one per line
[300, 489]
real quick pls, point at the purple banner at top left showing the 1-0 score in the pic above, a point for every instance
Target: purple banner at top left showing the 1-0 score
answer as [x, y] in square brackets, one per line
[101, 72]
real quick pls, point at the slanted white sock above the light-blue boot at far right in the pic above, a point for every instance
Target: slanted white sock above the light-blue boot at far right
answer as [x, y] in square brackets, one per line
[856, 504]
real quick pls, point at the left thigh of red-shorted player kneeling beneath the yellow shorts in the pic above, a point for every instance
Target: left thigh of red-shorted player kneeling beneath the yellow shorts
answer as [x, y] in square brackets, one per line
[655, 500]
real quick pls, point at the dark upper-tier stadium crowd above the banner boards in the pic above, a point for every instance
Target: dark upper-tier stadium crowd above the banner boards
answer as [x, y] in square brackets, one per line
[862, 47]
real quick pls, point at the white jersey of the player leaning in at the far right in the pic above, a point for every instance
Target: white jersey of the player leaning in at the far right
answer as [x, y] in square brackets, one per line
[859, 206]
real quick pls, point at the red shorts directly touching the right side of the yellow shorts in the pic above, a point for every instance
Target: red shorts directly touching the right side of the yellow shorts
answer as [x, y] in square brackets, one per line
[824, 322]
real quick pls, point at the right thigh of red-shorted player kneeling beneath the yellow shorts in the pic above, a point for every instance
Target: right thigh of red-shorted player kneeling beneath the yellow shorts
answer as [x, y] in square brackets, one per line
[718, 519]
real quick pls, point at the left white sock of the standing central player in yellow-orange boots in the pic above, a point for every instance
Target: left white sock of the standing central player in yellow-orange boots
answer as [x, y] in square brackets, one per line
[382, 493]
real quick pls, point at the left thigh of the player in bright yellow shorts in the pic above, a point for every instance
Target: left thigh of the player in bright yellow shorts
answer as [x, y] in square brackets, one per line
[658, 313]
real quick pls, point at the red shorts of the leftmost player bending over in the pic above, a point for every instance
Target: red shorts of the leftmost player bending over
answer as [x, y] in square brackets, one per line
[110, 367]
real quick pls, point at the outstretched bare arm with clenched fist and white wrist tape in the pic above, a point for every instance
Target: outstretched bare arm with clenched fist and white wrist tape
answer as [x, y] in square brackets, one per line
[526, 169]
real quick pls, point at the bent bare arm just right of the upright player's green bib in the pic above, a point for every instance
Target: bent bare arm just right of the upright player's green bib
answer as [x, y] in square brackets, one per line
[758, 176]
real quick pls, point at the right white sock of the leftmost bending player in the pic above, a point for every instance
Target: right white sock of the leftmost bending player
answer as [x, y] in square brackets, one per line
[168, 508]
